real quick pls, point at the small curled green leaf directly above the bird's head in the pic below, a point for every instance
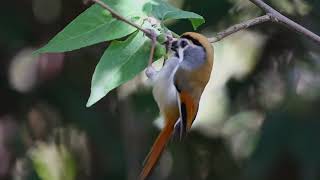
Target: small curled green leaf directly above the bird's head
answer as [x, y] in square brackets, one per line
[164, 11]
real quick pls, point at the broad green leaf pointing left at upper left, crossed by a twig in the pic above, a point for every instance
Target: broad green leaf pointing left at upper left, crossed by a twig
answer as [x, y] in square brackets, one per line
[96, 25]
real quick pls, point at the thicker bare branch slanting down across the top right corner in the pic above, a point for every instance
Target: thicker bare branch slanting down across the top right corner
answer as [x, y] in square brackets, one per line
[279, 18]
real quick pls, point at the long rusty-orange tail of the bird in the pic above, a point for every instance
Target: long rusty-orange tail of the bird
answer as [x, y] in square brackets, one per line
[156, 150]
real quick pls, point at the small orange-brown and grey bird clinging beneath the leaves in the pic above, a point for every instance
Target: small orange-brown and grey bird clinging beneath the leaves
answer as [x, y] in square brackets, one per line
[177, 89]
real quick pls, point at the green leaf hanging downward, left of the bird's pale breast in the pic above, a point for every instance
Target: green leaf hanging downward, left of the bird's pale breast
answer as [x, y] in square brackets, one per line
[122, 61]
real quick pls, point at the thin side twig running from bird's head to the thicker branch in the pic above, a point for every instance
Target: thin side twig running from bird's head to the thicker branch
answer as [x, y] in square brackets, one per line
[237, 27]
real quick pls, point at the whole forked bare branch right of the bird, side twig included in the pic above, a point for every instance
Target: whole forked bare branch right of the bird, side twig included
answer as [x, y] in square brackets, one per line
[271, 15]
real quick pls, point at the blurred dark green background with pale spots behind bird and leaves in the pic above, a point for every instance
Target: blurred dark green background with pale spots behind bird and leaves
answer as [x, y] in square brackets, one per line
[258, 118]
